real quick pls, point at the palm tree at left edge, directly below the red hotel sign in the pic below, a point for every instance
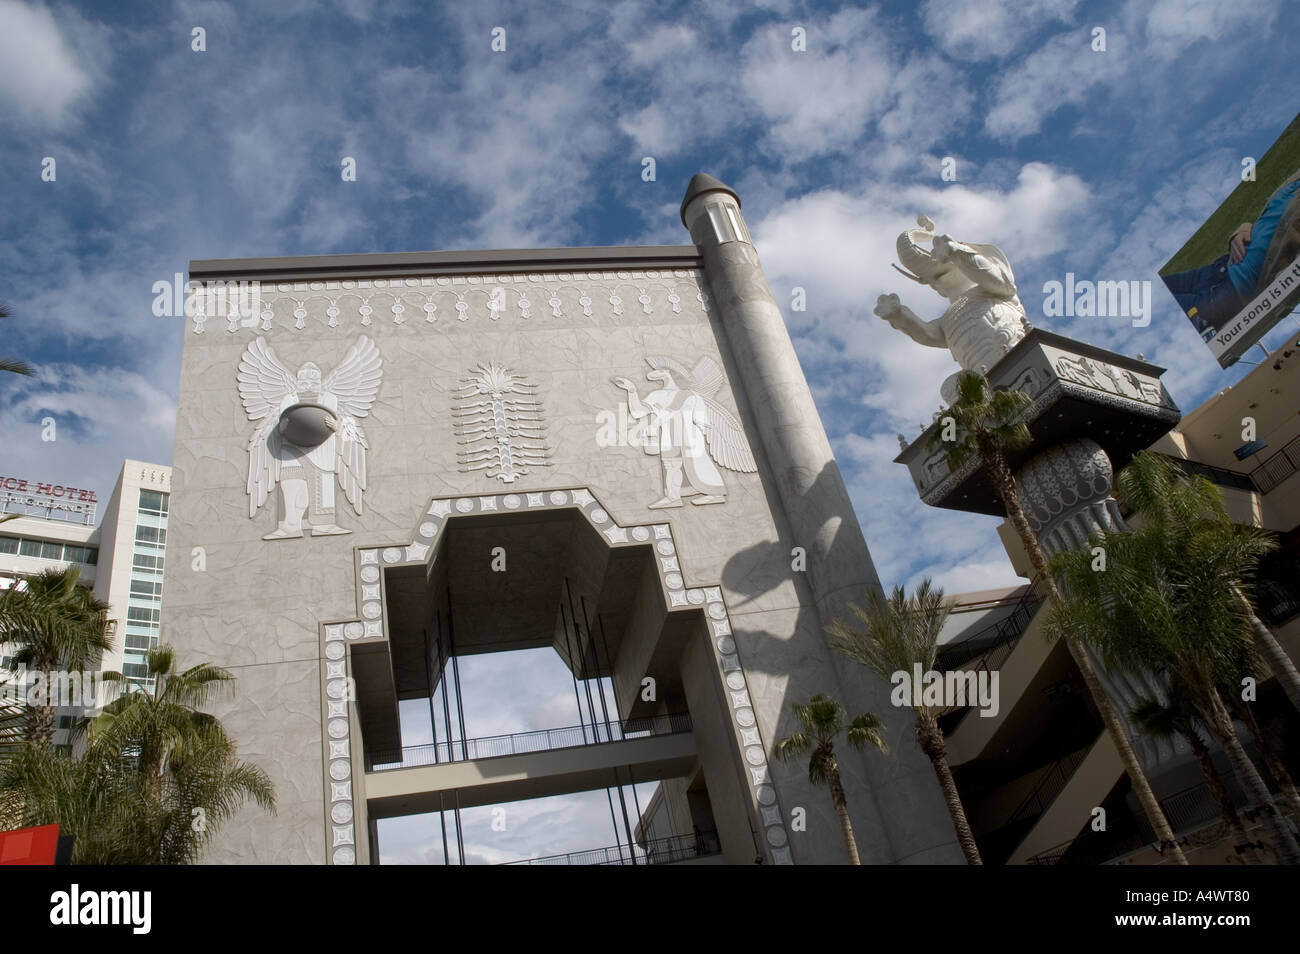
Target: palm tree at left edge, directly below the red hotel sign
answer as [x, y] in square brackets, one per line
[57, 625]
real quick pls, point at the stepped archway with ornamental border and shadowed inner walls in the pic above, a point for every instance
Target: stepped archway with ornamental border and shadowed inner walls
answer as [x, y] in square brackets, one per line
[627, 578]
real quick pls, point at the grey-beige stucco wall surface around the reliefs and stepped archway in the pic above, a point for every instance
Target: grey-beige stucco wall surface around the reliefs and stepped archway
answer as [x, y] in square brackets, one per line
[258, 606]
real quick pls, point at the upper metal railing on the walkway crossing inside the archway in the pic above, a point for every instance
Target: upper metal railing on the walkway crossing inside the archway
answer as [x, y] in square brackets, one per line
[525, 743]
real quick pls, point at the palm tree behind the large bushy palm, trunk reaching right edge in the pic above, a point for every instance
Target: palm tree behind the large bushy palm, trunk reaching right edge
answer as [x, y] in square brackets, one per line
[1158, 491]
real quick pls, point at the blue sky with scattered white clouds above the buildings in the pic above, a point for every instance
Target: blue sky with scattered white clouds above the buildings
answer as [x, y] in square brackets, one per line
[1072, 161]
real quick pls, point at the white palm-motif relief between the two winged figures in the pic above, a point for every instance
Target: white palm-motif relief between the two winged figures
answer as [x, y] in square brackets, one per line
[500, 423]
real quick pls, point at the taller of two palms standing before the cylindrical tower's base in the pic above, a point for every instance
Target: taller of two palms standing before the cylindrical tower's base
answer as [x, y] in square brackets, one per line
[903, 634]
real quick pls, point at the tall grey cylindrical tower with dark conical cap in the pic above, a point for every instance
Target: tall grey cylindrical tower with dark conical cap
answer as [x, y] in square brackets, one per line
[909, 808]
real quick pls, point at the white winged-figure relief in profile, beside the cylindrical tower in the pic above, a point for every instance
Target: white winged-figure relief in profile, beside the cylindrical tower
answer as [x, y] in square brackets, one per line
[690, 431]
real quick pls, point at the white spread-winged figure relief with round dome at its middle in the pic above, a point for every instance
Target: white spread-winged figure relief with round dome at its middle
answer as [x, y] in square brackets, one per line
[307, 435]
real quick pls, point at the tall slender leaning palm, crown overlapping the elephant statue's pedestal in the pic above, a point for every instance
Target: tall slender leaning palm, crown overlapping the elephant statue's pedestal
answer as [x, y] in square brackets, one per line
[990, 424]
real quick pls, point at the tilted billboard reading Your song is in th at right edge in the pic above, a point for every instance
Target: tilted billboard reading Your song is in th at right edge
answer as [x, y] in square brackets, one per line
[1240, 275]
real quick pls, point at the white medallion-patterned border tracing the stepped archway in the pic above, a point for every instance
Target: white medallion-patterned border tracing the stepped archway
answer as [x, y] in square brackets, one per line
[339, 743]
